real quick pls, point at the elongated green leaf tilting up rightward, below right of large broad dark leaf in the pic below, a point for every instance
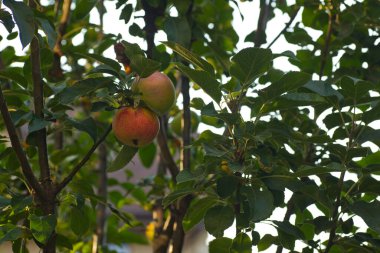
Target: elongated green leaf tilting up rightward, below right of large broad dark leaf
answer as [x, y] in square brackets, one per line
[288, 82]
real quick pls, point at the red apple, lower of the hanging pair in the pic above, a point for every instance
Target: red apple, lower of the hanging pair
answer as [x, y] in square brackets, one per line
[135, 127]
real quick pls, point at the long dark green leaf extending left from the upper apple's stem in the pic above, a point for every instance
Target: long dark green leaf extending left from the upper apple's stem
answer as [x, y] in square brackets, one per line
[81, 88]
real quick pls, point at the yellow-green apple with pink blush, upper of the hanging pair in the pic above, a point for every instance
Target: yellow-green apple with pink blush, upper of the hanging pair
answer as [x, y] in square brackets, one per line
[157, 91]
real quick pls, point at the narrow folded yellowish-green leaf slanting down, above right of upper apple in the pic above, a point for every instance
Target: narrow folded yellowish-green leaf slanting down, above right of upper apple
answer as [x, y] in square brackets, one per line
[191, 57]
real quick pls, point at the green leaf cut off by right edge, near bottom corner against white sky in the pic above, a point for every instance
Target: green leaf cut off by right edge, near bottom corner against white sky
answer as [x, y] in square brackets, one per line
[369, 212]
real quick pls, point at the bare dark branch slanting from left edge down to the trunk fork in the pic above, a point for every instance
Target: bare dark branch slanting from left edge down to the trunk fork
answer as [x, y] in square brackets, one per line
[25, 166]
